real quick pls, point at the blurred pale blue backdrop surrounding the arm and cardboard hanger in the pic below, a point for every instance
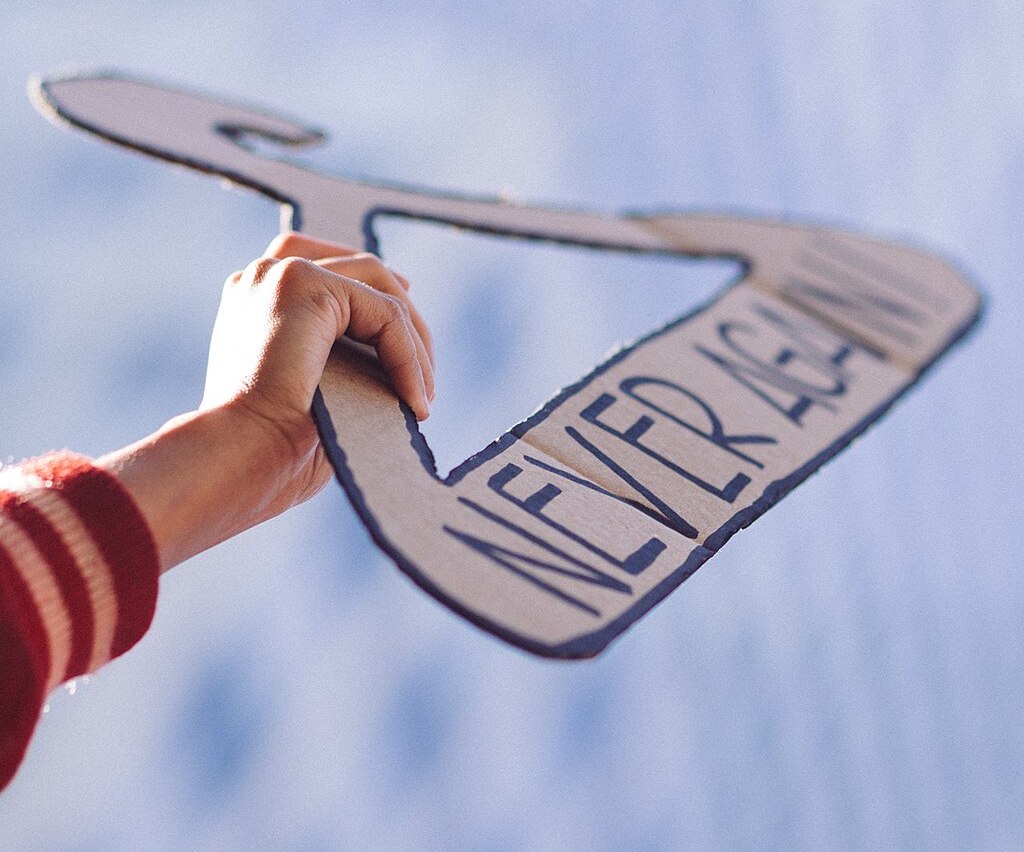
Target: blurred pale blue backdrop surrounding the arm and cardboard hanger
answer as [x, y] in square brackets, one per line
[847, 674]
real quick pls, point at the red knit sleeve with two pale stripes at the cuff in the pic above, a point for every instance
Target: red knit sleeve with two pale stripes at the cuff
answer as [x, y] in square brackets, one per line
[78, 585]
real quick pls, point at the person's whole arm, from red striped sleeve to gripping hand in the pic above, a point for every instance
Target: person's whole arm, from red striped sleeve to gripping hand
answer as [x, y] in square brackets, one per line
[81, 549]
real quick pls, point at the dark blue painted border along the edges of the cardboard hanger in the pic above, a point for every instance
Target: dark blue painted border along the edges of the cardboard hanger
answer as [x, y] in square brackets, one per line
[588, 645]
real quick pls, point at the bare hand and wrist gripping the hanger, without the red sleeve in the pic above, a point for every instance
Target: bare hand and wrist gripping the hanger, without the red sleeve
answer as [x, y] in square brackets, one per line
[252, 450]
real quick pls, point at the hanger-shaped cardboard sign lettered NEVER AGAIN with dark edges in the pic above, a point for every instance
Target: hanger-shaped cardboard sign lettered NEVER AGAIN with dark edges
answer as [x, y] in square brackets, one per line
[567, 530]
